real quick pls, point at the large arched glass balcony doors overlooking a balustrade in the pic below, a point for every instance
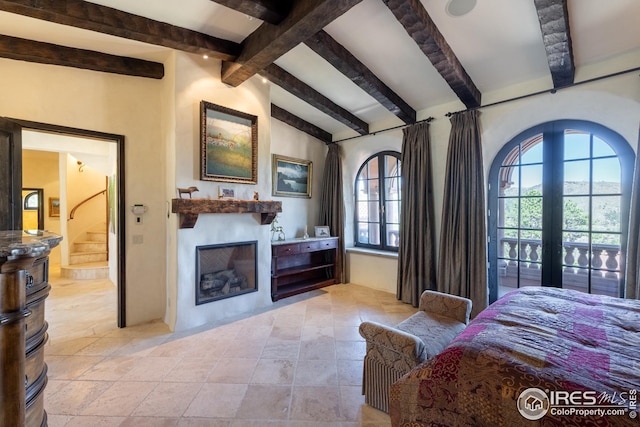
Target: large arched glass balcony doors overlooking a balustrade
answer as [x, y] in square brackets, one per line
[559, 199]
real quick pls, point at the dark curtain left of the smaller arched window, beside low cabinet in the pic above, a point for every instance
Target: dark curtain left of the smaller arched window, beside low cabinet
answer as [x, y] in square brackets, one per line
[332, 202]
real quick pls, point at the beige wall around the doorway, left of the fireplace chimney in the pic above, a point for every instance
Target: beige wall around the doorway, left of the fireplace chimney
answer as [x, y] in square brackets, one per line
[123, 105]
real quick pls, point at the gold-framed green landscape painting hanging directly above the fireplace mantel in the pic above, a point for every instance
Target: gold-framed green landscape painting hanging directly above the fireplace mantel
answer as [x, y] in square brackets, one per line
[228, 144]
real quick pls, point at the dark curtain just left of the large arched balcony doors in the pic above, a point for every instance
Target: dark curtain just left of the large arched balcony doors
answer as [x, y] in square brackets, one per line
[462, 266]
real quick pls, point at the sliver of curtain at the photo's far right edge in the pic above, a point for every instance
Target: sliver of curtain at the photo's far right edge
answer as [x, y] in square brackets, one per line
[632, 276]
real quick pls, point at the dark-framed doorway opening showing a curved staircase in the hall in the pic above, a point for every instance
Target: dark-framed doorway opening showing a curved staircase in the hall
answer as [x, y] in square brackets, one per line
[81, 175]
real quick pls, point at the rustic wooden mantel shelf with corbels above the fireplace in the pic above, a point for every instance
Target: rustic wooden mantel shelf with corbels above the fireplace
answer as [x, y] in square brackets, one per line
[189, 209]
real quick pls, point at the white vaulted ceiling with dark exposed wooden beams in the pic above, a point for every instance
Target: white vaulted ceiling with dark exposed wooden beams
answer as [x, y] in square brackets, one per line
[339, 67]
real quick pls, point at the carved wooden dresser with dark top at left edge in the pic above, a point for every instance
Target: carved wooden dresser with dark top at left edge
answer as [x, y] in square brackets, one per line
[24, 288]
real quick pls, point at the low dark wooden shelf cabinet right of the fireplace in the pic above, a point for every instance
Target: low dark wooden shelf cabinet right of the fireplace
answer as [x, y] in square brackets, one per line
[300, 265]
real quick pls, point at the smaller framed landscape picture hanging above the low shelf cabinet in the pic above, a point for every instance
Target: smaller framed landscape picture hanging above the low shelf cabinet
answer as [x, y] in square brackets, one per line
[291, 177]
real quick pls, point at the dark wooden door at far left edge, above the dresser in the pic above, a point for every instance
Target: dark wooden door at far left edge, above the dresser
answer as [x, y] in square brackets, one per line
[10, 175]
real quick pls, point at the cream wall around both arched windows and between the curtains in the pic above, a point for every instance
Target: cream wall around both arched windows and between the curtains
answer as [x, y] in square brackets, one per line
[614, 103]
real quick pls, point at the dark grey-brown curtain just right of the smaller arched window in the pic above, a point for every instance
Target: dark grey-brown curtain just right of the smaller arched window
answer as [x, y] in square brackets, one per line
[416, 258]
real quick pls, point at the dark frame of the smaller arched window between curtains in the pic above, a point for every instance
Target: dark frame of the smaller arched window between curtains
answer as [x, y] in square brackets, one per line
[384, 245]
